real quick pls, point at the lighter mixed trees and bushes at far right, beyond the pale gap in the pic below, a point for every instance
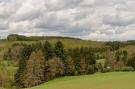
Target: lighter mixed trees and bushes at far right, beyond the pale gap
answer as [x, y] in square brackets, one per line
[118, 61]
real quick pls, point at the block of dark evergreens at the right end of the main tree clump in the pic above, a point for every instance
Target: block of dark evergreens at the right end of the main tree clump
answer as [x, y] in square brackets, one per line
[83, 57]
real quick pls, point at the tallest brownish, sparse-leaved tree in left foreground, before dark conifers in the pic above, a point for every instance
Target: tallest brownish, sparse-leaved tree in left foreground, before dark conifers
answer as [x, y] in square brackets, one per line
[34, 74]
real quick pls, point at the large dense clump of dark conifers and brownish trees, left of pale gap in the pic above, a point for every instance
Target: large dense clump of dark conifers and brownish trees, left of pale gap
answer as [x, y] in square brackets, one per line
[41, 62]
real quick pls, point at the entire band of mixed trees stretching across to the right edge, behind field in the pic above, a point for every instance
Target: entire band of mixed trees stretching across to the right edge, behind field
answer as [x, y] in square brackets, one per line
[41, 62]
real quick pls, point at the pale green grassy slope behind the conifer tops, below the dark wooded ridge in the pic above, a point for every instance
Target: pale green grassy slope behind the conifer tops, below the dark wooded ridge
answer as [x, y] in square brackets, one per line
[68, 43]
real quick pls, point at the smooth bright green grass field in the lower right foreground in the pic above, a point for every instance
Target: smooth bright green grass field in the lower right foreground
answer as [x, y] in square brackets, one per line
[114, 80]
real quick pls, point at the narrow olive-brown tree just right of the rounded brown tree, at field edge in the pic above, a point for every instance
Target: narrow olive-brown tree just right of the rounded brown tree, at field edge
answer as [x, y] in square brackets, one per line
[69, 66]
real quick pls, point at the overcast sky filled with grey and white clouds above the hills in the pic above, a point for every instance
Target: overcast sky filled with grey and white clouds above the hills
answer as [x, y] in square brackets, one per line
[101, 20]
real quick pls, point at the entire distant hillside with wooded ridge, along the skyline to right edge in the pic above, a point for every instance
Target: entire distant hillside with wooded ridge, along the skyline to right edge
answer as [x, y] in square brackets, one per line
[68, 42]
